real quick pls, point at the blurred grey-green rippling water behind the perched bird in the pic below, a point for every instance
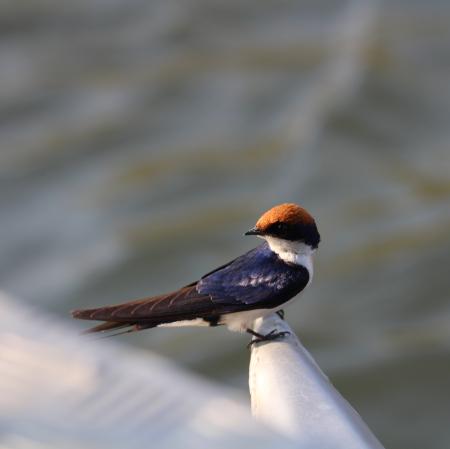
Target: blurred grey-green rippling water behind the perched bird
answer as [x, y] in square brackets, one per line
[140, 139]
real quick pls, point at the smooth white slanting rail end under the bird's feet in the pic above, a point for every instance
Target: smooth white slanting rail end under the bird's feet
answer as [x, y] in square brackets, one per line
[291, 394]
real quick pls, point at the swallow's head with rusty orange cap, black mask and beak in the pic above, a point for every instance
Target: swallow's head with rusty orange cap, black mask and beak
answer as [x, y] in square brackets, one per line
[288, 222]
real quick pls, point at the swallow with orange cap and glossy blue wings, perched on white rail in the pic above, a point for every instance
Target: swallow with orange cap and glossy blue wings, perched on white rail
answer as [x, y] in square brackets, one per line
[253, 285]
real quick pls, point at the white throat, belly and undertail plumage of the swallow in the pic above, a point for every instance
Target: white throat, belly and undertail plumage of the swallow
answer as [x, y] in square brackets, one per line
[292, 252]
